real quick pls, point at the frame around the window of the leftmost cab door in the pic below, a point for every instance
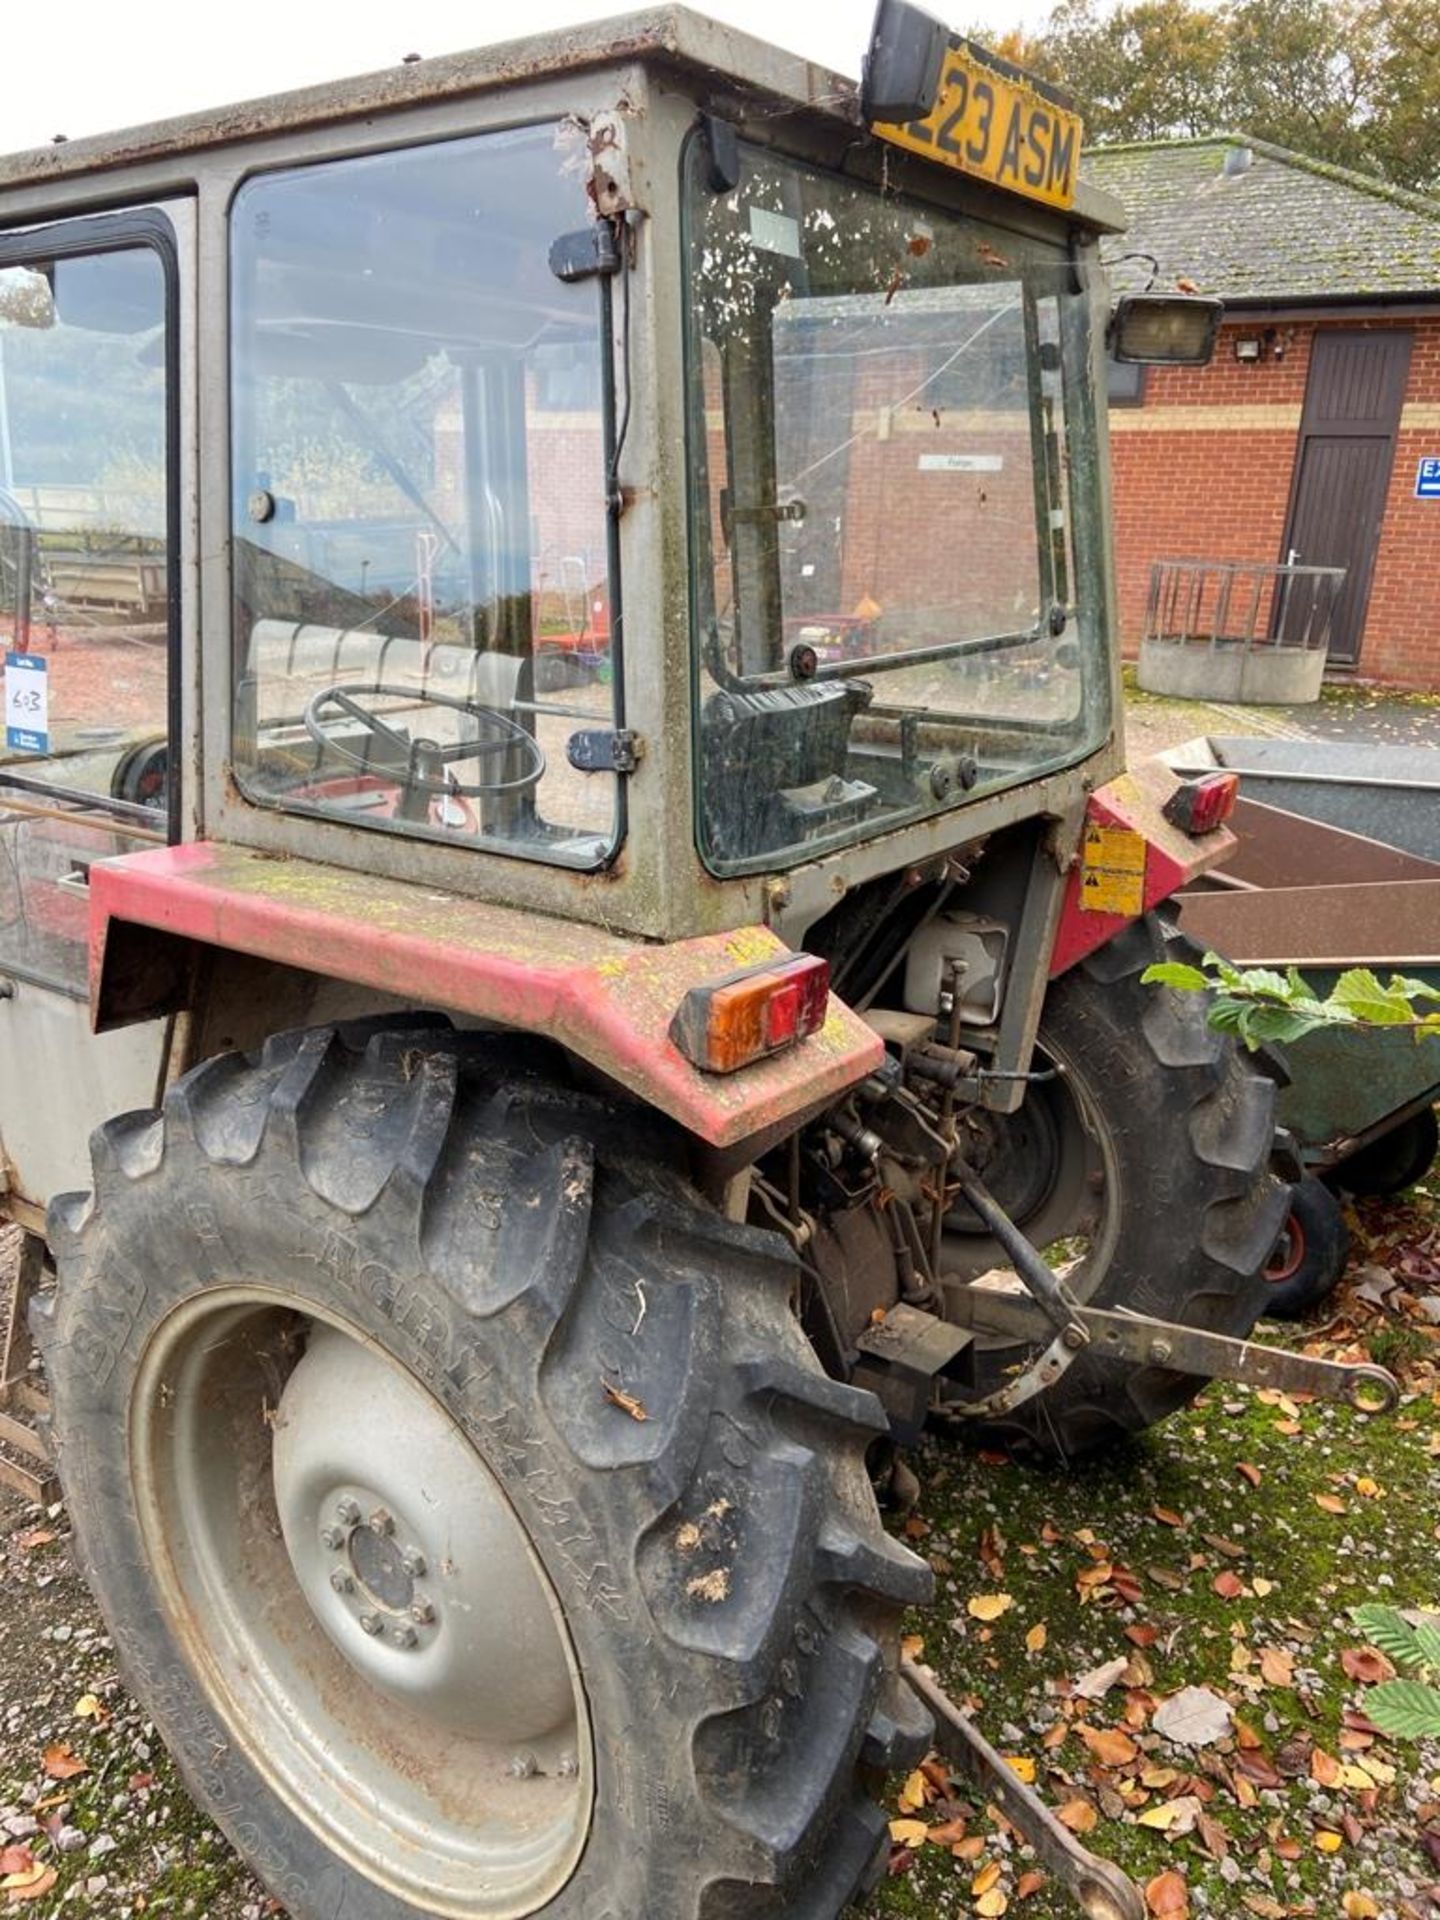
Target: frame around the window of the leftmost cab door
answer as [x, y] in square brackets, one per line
[89, 235]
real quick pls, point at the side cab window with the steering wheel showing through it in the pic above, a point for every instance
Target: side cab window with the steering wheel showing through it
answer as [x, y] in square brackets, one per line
[421, 583]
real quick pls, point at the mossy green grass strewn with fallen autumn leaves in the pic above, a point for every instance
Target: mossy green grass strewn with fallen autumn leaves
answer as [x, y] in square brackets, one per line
[1245, 1487]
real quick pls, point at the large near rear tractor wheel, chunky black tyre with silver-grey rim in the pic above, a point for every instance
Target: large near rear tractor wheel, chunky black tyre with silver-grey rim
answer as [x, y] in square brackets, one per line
[466, 1502]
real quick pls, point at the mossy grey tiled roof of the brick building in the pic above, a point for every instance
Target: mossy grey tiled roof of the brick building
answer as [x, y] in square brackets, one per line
[1282, 228]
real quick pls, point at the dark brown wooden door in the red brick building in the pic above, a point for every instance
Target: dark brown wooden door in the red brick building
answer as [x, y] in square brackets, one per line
[1343, 468]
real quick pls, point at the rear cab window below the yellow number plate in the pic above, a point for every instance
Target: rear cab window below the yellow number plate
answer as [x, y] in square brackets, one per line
[892, 416]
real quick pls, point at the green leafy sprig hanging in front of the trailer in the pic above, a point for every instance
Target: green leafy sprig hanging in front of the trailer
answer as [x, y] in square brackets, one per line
[1262, 1005]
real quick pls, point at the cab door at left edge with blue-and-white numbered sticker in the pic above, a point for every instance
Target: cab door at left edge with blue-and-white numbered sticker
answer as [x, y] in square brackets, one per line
[91, 633]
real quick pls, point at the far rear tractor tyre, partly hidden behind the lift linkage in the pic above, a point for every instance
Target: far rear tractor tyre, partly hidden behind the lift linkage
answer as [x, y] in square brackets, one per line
[1164, 1134]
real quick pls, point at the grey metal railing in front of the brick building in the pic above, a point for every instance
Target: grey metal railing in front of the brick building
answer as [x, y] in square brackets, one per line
[1243, 604]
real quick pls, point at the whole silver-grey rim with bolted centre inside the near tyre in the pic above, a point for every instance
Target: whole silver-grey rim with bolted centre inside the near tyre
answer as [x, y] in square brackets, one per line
[362, 1604]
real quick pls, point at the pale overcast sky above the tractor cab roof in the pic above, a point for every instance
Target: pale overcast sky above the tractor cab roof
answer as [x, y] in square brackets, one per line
[89, 66]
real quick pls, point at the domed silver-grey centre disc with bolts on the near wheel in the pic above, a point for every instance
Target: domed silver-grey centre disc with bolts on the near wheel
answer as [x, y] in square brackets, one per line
[410, 1554]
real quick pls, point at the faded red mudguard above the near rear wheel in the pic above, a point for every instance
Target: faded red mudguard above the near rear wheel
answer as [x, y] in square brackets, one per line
[606, 997]
